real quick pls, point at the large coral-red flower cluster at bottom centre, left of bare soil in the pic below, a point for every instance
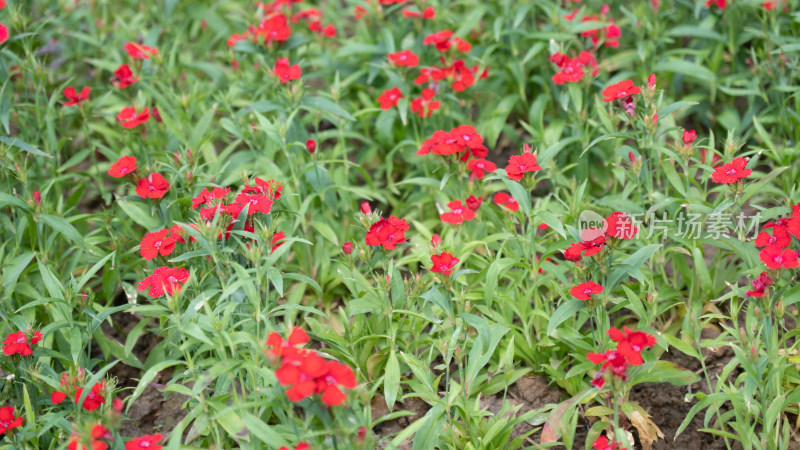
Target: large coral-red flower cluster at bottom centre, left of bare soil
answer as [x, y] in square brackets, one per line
[306, 372]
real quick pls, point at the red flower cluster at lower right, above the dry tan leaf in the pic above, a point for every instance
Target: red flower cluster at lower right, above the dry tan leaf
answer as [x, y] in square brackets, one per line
[629, 351]
